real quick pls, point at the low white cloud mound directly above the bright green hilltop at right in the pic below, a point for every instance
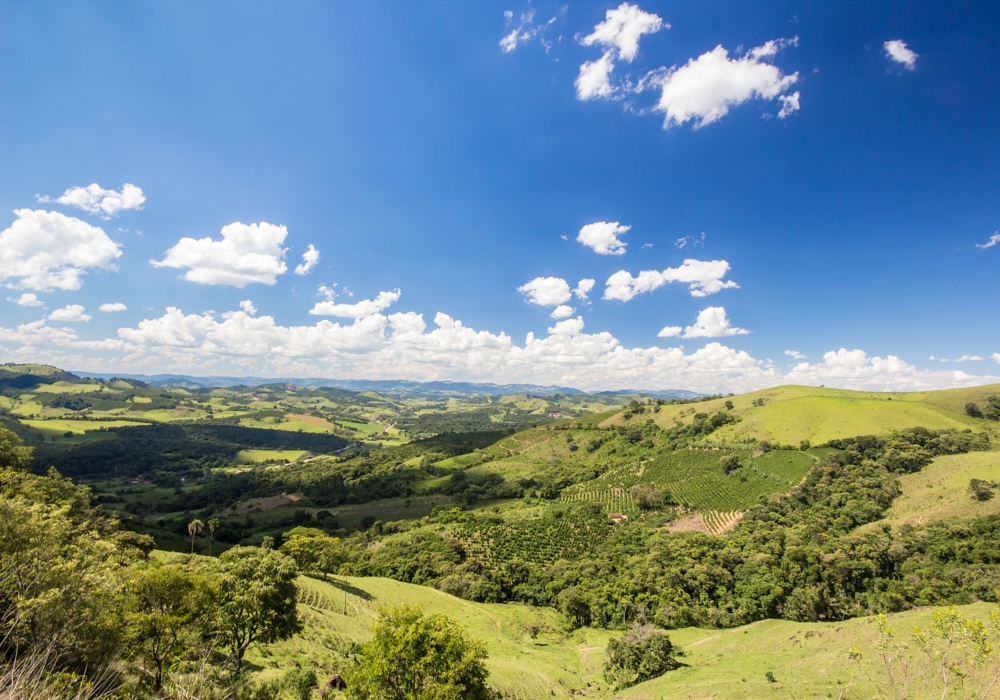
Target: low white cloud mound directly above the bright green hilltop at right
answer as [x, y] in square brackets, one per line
[854, 369]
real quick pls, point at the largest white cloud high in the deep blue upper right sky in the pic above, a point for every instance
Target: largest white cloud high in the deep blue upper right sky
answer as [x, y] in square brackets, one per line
[705, 88]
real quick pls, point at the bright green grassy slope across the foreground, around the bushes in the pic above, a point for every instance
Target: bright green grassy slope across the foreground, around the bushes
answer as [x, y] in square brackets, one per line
[809, 660]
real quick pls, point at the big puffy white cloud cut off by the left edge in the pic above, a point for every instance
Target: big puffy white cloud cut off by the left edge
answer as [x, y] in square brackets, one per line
[43, 250]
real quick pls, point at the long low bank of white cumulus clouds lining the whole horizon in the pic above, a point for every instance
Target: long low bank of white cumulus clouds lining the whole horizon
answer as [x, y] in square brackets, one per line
[398, 345]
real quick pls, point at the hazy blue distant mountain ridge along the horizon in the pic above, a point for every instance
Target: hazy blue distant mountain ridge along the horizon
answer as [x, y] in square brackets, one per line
[384, 386]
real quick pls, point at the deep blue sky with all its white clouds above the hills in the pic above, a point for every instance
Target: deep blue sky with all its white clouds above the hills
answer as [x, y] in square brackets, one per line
[845, 189]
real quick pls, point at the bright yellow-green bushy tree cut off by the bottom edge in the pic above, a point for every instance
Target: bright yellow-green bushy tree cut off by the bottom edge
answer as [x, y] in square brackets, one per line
[418, 657]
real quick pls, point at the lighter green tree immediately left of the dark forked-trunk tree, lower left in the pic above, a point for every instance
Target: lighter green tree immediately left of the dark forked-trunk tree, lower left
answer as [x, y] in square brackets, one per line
[166, 605]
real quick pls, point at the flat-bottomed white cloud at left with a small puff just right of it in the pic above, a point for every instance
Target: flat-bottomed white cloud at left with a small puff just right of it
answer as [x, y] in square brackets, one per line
[245, 255]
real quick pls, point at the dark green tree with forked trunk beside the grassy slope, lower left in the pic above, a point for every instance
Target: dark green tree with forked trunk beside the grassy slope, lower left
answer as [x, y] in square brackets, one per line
[257, 599]
